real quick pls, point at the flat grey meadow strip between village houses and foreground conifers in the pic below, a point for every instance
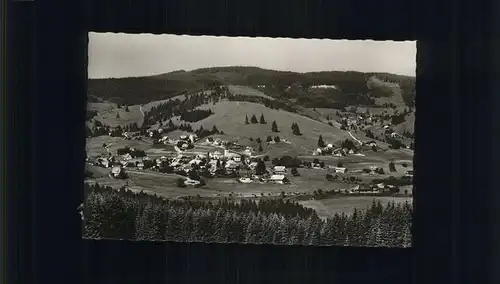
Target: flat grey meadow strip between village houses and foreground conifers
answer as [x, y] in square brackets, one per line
[165, 185]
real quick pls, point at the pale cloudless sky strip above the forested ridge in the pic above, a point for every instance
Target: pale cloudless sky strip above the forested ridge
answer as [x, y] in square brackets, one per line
[115, 55]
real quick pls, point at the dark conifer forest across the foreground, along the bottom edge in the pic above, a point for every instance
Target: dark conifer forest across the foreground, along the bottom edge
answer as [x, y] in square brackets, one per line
[122, 214]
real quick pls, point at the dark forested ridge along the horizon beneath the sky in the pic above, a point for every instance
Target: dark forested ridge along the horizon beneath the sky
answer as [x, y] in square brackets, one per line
[349, 87]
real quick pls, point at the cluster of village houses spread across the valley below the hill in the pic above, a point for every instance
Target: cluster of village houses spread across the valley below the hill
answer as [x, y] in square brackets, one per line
[196, 160]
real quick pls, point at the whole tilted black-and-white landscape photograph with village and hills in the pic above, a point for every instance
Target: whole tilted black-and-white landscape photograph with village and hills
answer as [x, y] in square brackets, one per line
[249, 140]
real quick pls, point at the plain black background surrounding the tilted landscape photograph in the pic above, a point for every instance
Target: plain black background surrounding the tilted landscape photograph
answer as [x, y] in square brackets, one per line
[46, 67]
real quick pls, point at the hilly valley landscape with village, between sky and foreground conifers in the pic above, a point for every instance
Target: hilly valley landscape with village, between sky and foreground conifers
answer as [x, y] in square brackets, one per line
[331, 141]
